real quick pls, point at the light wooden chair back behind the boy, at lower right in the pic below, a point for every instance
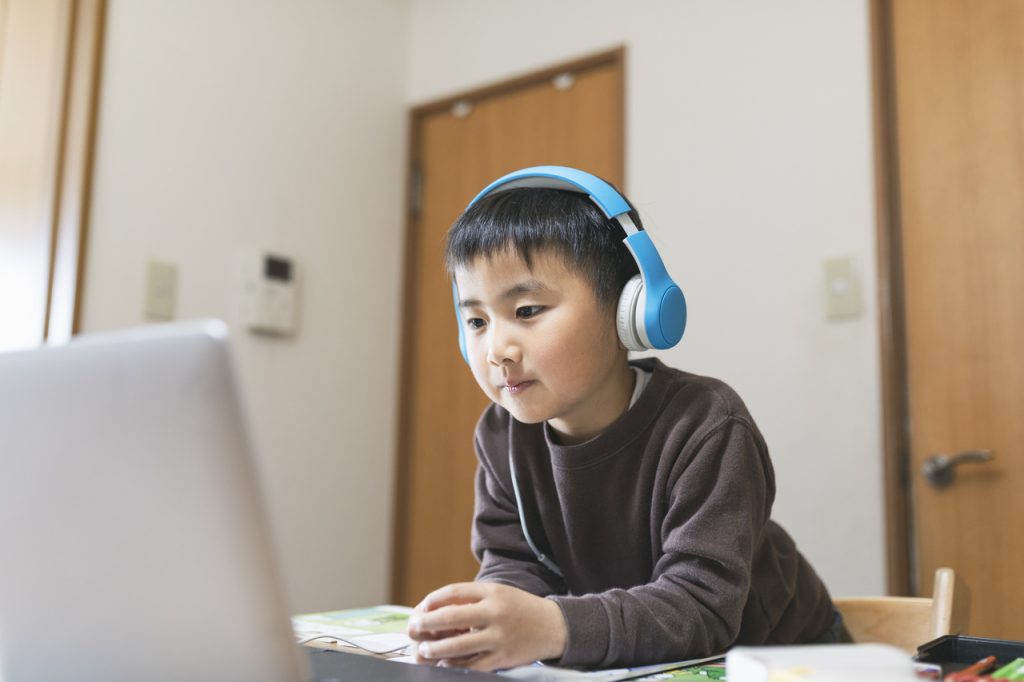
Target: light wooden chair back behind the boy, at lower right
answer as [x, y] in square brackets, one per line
[908, 622]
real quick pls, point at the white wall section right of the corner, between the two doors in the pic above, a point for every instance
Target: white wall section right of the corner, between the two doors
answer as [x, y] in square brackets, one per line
[749, 155]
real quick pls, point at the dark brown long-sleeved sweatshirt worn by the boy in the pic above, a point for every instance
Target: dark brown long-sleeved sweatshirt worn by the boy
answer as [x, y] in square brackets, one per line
[661, 527]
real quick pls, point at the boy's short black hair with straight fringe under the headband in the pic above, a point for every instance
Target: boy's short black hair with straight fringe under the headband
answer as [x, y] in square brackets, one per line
[530, 220]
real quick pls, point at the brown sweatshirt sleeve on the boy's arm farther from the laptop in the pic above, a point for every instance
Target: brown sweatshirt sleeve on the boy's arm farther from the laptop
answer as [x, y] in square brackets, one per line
[719, 504]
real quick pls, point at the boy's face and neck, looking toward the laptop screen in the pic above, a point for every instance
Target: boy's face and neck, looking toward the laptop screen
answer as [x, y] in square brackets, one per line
[542, 346]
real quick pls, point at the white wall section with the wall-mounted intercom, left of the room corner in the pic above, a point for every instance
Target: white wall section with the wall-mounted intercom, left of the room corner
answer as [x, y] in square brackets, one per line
[235, 125]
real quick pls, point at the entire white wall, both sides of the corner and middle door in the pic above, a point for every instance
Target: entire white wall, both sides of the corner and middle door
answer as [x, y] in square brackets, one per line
[240, 124]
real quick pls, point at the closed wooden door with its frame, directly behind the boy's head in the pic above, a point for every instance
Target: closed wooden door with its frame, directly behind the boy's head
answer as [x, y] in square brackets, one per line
[571, 115]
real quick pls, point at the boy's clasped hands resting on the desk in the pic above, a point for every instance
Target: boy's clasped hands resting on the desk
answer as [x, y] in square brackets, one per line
[486, 626]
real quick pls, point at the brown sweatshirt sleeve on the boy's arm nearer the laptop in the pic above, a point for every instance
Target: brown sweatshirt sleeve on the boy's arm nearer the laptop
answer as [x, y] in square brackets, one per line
[498, 541]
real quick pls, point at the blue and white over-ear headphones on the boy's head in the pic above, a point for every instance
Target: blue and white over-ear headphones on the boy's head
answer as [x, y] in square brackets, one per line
[652, 309]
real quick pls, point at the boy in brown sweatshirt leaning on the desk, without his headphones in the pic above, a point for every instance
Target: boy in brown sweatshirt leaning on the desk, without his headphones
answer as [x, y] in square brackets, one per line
[622, 509]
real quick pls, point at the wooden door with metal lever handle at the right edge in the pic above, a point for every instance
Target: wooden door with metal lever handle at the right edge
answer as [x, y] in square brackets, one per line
[959, 68]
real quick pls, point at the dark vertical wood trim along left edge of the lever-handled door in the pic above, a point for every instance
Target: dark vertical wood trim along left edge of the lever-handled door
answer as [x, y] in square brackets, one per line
[895, 408]
